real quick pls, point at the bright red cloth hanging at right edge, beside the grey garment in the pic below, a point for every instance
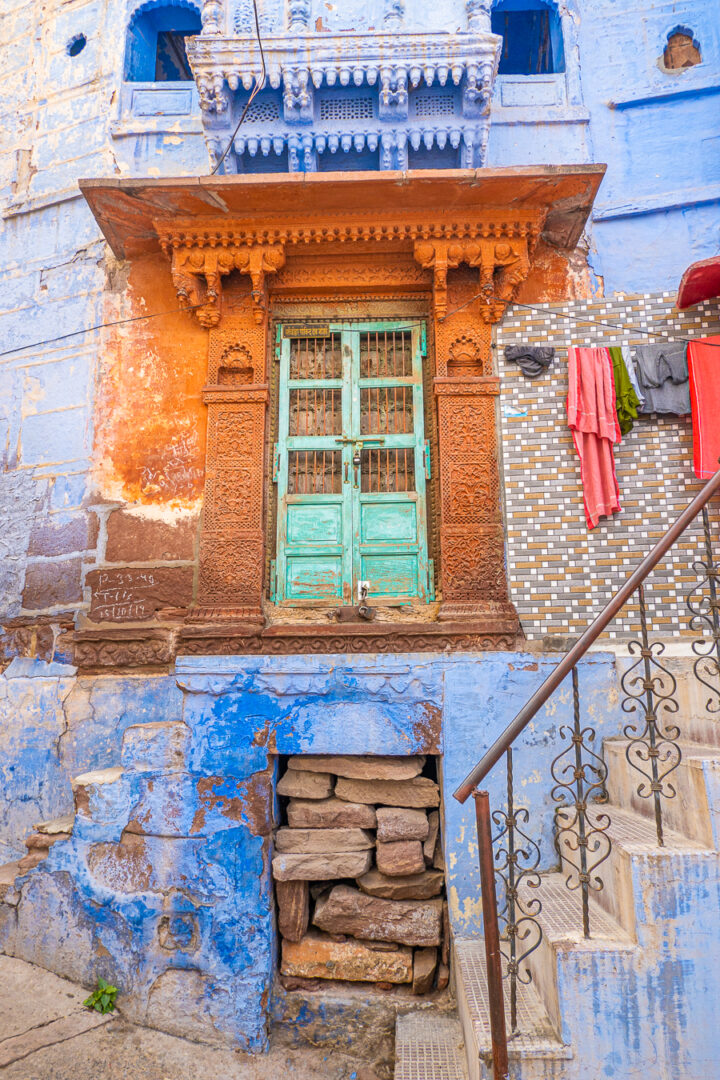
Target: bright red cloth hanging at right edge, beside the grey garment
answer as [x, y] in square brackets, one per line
[704, 368]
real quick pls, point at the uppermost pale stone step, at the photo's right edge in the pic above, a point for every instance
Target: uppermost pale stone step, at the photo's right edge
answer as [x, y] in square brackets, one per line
[695, 812]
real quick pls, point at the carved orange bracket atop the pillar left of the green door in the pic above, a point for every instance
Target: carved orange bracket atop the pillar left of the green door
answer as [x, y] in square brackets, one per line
[198, 274]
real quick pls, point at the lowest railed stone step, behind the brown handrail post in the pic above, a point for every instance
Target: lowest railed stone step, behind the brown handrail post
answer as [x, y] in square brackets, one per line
[535, 1054]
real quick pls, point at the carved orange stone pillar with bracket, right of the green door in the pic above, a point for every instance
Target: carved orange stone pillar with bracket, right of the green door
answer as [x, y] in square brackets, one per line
[467, 303]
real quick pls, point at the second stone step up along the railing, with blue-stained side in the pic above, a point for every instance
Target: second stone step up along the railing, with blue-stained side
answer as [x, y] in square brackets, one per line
[564, 946]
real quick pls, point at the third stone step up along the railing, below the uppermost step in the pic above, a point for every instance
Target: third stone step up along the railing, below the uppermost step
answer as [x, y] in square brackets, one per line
[637, 868]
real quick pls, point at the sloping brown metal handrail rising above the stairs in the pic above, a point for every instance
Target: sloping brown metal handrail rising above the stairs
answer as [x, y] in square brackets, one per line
[501, 745]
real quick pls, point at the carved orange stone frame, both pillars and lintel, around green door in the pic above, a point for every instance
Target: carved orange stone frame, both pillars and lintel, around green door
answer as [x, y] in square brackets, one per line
[472, 276]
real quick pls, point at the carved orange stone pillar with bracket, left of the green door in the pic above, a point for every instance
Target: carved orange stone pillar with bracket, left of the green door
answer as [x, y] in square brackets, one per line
[233, 539]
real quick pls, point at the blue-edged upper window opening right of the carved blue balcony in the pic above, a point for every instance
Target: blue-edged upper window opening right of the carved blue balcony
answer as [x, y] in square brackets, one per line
[533, 37]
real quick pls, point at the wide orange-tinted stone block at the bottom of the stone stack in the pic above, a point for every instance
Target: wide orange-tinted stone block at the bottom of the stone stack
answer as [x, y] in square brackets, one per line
[317, 957]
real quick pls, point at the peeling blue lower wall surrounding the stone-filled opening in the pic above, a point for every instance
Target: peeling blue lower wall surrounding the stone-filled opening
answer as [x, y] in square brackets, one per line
[181, 836]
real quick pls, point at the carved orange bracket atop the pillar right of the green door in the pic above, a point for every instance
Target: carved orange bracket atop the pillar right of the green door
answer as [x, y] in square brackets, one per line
[504, 265]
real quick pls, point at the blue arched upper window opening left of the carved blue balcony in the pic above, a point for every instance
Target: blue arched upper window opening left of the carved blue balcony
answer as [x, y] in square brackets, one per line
[156, 43]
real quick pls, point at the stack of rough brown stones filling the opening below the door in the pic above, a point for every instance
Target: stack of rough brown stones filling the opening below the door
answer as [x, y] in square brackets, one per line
[359, 873]
